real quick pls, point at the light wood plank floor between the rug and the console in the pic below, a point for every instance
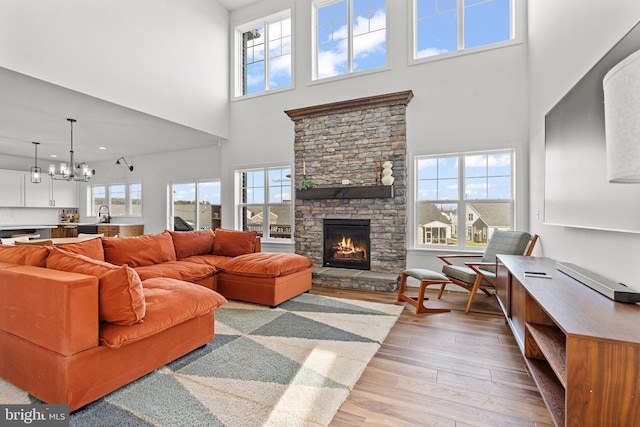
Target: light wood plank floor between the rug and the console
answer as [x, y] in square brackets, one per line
[446, 369]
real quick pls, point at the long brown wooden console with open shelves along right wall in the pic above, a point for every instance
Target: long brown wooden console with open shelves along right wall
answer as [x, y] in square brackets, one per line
[581, 348]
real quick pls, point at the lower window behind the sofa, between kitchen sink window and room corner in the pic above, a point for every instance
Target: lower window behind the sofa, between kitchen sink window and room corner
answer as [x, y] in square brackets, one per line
[194, 205]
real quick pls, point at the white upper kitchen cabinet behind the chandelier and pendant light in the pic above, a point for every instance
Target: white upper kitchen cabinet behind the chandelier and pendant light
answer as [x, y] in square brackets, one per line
[51, 193]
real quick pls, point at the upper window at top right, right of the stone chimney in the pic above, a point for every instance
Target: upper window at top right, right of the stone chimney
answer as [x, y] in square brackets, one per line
[444, 26]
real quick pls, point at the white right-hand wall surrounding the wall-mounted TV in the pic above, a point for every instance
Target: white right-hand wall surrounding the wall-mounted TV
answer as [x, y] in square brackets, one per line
[565, 40]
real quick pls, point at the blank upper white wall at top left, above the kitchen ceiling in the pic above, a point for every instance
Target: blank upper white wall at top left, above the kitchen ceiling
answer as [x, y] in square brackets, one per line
[158, 57]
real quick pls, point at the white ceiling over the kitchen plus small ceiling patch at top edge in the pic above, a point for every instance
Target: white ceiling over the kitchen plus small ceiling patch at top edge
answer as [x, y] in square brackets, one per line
[35, 110]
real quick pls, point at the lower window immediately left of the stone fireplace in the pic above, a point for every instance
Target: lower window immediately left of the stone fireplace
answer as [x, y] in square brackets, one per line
[265, 201]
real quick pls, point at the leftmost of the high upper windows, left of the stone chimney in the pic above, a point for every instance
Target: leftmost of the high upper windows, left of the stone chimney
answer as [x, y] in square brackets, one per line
[264, 54]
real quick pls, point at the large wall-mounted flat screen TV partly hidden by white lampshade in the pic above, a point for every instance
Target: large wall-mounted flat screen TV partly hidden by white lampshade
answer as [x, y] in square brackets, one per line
[576, 190]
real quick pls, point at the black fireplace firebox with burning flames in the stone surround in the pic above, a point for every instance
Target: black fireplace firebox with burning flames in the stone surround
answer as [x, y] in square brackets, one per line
[347, 243]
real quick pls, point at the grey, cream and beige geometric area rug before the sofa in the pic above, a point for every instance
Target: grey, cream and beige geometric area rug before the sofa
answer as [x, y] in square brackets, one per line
[293, 365]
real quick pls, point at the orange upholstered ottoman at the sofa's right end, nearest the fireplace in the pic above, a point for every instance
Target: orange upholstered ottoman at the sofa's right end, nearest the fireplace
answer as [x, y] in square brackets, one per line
[264, 278]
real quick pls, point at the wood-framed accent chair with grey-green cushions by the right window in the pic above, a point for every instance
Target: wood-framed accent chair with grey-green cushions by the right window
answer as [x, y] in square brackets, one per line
[481, 274]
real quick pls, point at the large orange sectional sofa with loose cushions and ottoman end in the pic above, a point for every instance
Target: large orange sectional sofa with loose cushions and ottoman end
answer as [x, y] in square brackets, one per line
[73, 317]
